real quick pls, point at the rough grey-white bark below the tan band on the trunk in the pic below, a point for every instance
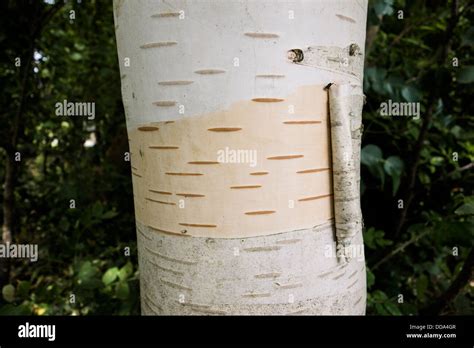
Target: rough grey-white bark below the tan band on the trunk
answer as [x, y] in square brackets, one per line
[287, 273]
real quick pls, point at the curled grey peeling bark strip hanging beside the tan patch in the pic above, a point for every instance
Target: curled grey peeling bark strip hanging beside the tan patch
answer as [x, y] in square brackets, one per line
[345, 104]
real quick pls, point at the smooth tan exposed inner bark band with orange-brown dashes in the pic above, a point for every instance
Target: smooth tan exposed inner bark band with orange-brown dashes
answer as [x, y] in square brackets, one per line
[289, 188]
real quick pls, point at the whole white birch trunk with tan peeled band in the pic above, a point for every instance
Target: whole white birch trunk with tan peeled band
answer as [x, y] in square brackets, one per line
[230, 131]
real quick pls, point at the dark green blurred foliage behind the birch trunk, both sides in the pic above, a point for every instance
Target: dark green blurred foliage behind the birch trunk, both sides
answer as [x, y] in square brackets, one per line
[417, 175]
